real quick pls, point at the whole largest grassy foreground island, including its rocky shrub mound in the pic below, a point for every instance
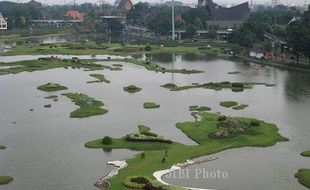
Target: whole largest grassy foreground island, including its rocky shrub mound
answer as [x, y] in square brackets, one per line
[159, 155]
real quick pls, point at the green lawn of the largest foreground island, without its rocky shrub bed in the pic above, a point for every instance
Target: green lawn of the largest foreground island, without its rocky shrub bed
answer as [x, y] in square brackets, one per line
[266, 135]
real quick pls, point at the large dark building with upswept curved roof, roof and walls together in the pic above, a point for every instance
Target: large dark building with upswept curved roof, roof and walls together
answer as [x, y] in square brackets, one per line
[222, 17]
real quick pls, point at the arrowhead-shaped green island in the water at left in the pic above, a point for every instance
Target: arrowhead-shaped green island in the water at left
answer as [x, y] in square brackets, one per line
[88, 105]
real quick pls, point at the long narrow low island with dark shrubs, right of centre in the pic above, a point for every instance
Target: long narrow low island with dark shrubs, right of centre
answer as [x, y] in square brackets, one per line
[235, 86]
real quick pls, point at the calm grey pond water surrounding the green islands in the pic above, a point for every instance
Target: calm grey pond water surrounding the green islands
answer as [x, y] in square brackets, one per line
[45, 147]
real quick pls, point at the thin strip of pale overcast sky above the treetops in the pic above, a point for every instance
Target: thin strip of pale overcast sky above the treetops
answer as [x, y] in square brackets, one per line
[154, 1]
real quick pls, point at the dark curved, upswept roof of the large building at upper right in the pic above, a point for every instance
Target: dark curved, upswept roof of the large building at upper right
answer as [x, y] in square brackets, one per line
[239, 12]
